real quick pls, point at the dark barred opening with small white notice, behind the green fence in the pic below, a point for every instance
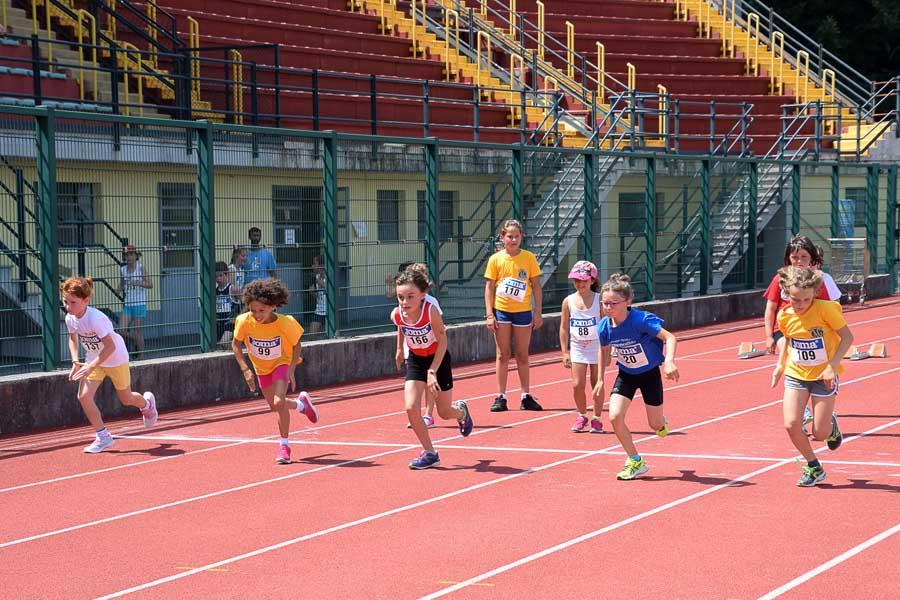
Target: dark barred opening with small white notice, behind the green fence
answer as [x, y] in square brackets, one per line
[297, 218]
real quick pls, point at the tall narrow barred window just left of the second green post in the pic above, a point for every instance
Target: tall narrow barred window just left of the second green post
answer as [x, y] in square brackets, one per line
[177, 224]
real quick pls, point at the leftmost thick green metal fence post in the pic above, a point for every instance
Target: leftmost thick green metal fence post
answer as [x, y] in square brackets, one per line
[47, 221]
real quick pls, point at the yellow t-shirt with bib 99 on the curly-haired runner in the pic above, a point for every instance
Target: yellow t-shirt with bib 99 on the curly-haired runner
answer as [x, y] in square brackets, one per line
[269, 345]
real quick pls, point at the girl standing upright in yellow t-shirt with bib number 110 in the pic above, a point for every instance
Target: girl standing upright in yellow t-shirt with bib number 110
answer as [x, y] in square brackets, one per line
[513, 280]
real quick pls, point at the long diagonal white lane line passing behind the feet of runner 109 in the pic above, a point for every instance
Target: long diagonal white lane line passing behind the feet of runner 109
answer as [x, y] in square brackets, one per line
[612, 527]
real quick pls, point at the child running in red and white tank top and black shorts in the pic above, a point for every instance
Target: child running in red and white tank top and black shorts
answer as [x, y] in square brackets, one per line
[428, 365]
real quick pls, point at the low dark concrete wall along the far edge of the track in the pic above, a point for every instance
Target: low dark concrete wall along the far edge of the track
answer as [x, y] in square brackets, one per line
[41, 400]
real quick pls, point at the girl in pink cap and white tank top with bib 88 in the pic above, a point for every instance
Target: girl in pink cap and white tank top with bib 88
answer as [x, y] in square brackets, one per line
[579, 342]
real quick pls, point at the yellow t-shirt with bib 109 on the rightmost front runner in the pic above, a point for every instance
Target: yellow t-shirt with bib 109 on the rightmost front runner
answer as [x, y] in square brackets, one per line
[811, 338]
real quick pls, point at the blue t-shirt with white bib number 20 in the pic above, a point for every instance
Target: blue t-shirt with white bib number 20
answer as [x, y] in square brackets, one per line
[635, 341]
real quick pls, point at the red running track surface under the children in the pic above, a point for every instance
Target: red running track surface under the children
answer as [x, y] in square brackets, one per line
[521, 509]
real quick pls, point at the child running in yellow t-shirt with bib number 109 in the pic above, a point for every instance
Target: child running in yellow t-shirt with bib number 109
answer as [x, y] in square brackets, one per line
[817, 336]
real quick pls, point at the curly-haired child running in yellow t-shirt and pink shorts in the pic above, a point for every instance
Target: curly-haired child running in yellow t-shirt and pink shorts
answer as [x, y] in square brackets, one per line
[273, 345]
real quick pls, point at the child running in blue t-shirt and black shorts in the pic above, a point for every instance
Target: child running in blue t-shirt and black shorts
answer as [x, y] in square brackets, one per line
[638, 338]
